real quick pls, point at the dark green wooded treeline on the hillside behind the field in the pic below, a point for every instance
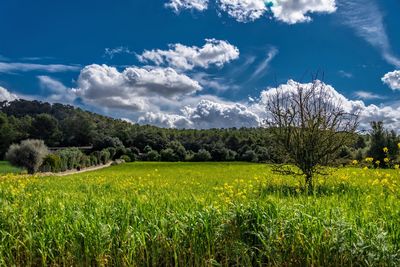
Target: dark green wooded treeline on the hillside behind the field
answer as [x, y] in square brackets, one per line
[61, 125]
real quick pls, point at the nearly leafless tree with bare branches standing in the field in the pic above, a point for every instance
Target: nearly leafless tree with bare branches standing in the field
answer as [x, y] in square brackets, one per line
[310, 125]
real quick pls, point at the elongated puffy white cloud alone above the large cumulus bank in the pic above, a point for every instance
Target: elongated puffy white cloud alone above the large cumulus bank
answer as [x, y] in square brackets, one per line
[213, 53]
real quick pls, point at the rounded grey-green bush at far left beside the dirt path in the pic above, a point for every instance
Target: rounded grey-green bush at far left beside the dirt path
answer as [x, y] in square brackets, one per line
[29, 154]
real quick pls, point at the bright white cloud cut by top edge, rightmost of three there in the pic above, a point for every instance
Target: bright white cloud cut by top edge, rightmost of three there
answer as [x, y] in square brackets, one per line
[295, 11]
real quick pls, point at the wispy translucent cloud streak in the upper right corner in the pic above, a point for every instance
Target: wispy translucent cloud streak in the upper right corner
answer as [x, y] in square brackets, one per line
[365, 18]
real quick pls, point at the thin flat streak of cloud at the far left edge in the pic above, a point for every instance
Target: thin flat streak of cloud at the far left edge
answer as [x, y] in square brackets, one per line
[24, 67]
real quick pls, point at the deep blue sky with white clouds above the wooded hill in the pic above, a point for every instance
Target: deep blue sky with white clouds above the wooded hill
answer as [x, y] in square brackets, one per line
[200, 63]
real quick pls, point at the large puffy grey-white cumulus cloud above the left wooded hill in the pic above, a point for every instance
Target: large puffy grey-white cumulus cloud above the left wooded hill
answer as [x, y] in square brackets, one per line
[132, 89]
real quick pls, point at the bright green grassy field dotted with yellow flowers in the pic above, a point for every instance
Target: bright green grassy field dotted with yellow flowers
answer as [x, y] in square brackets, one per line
[200, 214]
